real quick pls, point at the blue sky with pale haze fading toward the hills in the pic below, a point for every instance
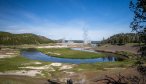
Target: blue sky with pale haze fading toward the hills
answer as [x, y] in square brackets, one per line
[58, 19]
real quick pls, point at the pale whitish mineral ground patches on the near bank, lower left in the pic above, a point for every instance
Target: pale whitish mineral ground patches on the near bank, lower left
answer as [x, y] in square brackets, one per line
[34, 70]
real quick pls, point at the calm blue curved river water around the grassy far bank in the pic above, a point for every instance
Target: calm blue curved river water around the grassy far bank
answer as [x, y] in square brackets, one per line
[35, 55]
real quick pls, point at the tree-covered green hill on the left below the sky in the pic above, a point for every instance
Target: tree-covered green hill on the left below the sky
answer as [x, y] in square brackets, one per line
[7, 38]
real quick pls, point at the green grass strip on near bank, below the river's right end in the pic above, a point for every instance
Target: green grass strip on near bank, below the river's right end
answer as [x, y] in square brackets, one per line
[102, 65]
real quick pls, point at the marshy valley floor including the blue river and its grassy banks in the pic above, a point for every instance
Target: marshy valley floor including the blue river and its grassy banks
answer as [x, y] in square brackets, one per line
[32, 64]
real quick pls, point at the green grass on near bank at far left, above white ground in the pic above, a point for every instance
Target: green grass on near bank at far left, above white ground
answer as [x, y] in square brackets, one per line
[8, 64]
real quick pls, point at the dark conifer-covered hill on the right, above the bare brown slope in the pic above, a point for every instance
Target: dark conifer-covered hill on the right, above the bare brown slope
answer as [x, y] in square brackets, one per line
[122, 38]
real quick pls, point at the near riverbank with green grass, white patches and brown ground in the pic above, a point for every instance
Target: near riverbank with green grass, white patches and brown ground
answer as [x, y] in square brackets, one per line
[60, 72]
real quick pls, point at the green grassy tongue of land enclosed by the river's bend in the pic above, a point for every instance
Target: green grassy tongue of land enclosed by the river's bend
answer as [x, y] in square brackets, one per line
[72, 54]
